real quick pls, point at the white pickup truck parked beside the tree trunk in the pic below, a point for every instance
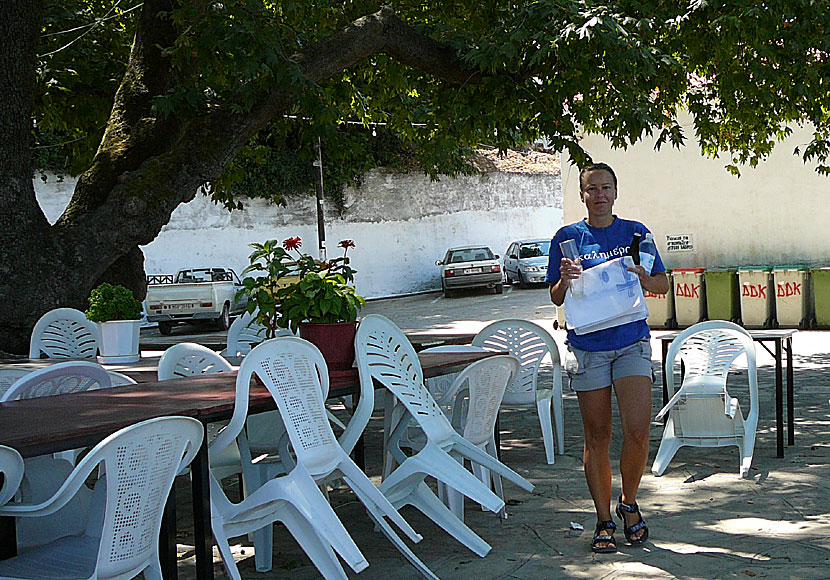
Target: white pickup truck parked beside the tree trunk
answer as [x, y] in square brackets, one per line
[196, 295]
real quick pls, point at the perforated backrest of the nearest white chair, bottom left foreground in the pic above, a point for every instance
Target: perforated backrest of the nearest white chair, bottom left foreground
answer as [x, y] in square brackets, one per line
[140, 463]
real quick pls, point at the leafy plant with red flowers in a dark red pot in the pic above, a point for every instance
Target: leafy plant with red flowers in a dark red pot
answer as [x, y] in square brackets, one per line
[296, 291]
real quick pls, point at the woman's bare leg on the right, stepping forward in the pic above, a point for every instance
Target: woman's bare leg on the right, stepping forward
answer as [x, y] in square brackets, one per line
[634, 402]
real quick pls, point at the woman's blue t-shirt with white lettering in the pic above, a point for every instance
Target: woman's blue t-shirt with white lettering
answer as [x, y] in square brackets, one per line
[598, 245]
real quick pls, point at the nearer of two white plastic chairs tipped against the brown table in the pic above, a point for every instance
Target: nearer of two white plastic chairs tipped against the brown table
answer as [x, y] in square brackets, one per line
[295, 374]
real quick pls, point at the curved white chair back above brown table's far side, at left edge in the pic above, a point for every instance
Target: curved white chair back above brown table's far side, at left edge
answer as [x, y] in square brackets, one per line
[59, 379]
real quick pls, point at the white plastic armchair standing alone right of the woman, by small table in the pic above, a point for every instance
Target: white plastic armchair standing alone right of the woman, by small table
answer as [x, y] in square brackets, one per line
[702, 413]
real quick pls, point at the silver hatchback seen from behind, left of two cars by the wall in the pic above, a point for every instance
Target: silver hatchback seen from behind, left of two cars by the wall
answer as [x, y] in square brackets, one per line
[470, 267]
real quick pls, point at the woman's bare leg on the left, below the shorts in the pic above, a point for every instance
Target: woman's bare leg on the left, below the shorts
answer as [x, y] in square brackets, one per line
[595, 407]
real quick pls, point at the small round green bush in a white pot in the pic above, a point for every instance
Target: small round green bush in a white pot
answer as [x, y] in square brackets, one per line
[118, 315]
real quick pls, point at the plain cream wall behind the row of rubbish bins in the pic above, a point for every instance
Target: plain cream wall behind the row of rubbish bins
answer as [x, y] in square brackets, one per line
[776, 213]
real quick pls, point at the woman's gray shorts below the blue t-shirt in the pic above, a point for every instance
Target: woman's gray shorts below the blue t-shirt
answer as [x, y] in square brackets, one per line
[591, 370]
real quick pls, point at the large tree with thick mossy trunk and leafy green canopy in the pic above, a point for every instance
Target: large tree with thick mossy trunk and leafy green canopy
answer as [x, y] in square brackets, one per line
[149, 101]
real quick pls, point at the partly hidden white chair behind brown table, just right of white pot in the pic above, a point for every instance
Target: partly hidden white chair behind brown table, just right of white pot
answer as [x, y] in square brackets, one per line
[188, 359]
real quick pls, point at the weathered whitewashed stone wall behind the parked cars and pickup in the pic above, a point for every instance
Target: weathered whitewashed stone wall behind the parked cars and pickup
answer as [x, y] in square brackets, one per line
[401, 224]
